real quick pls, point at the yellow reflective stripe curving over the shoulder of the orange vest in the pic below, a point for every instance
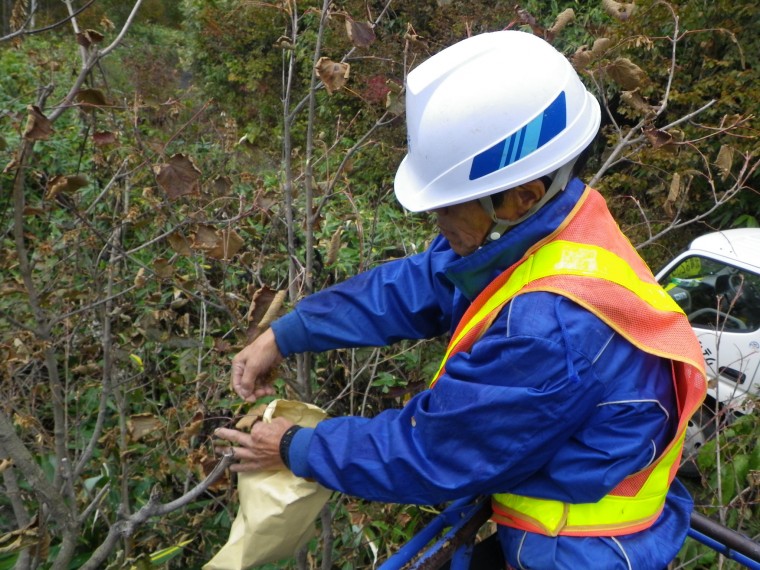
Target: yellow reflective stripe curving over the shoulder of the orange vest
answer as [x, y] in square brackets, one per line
[568, 258]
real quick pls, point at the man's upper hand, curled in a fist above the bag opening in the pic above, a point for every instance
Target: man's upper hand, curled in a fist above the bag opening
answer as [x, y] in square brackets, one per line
[251, 367]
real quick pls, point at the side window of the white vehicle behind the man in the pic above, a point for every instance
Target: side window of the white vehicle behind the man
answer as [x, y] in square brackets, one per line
[715, 295]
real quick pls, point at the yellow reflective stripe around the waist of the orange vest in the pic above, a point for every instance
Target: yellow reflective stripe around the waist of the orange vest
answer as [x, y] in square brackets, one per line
[610, 513]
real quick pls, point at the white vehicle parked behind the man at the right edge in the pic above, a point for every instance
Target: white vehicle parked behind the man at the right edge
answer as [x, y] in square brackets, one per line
[716, 281]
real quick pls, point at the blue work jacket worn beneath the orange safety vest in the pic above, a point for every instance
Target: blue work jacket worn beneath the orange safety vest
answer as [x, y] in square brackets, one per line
[550, 402]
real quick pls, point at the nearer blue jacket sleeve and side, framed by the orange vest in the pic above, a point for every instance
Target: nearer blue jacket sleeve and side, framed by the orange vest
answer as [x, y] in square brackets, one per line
[499, 417]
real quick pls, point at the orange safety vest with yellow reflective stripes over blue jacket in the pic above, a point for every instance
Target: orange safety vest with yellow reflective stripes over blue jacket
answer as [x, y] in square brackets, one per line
[588, 260]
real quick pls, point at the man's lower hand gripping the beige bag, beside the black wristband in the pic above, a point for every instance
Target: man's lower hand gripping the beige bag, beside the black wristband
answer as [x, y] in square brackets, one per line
[258, 450]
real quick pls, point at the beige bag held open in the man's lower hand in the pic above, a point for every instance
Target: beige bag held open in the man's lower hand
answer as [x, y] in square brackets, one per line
[277, 509]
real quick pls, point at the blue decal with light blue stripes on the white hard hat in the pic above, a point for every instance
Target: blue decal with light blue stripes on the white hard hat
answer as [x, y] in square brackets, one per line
[521, 143]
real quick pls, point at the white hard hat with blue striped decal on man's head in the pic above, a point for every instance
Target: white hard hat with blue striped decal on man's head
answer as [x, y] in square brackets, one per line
[490, 113]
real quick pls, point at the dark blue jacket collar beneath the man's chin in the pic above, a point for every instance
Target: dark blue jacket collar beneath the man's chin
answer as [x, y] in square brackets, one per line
[472, 273]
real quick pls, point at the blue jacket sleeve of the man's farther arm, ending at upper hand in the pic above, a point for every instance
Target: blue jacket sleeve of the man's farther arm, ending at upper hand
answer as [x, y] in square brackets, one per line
[404, 299]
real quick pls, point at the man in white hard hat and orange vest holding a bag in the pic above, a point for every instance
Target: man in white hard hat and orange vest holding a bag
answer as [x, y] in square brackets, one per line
[570, 374]
